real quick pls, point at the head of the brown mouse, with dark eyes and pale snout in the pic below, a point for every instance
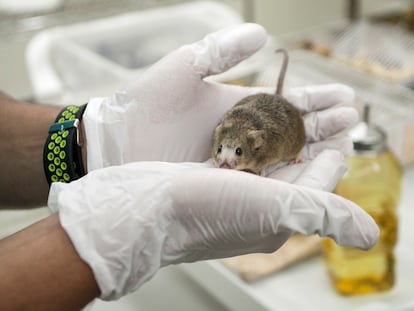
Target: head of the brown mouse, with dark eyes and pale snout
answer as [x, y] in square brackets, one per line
[238, 148]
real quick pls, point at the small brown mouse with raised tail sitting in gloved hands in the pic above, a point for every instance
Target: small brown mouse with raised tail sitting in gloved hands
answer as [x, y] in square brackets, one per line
[259, 131]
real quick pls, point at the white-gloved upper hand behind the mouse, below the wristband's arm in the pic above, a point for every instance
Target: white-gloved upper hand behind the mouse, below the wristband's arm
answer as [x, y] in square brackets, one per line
[170, 113]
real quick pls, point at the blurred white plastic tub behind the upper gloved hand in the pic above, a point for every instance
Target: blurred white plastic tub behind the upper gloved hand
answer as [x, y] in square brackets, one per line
[72, 63]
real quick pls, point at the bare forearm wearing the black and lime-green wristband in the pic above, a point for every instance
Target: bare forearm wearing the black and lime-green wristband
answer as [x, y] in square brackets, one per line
[23, 132]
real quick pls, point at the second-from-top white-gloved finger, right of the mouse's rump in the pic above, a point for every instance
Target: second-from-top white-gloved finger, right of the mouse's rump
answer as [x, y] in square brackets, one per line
[320, 125]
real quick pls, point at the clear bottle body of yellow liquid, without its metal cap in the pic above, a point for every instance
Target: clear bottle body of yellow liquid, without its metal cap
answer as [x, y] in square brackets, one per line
[373, 182]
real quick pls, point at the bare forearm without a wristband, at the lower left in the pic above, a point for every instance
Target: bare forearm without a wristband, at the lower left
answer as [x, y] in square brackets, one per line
[43, 254]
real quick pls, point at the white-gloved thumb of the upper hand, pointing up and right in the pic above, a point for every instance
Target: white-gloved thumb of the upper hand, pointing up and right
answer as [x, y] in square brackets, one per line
[221, 50]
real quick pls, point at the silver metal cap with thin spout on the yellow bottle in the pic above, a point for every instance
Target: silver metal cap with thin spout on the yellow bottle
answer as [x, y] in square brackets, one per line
[368, 137]
